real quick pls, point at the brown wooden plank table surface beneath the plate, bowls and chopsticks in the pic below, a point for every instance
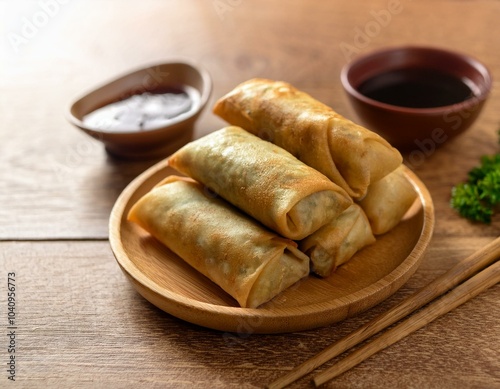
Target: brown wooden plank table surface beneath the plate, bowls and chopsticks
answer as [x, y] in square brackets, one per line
[79, 321]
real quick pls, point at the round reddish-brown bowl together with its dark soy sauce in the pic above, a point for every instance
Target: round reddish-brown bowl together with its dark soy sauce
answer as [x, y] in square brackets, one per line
[416, 97]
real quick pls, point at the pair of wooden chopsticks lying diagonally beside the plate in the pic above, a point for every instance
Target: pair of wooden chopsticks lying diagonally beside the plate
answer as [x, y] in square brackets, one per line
[469, 270]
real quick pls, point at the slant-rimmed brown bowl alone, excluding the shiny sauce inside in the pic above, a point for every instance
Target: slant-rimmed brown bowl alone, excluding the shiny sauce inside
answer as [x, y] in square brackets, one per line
[153, 142]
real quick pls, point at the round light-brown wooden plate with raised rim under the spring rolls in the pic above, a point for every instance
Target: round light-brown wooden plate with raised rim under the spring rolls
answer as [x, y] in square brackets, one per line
[371, 276]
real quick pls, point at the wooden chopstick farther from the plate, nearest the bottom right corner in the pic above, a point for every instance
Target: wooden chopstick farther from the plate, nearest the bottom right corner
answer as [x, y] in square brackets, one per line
[462, 293]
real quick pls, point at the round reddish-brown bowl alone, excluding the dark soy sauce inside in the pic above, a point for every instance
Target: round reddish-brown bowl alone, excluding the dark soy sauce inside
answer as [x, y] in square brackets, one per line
[412, 127]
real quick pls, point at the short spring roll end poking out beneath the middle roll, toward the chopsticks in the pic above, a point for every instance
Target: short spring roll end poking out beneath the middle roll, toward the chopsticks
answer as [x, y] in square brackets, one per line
[337, 242]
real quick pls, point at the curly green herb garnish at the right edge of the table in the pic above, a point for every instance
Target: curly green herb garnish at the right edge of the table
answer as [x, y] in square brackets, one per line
[478, 198]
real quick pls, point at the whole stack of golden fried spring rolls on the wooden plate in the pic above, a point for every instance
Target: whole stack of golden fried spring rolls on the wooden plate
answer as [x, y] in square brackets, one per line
[289, 188]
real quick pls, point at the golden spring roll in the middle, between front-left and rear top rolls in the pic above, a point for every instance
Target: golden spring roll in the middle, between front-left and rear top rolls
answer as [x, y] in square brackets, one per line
[263, 180]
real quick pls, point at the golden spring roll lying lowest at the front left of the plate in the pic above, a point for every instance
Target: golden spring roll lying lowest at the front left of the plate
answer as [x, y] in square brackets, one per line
[246, 260]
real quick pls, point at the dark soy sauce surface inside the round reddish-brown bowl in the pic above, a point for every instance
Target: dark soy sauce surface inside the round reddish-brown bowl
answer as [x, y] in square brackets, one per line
[416, 88]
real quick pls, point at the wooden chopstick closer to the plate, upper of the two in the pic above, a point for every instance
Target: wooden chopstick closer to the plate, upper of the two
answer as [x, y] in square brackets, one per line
[457, 274]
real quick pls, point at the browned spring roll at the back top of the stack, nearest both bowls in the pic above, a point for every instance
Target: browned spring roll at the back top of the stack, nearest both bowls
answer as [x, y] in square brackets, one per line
[348, 154]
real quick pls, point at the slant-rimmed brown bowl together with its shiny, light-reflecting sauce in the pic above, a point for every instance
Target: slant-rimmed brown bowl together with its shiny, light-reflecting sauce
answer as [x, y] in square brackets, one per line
[147, 113]
